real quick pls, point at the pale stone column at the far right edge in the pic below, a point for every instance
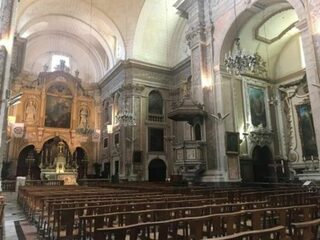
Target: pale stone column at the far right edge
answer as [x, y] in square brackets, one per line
[310, 33]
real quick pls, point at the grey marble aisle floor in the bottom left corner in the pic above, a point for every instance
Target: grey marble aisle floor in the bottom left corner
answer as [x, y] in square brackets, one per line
[12, 213]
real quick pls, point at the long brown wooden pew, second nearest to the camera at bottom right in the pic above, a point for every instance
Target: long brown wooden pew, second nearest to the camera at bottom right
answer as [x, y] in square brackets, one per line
[217, 225]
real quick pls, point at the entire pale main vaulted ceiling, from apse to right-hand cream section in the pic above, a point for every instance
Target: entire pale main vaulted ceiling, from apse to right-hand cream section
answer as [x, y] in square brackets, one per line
[96, 34]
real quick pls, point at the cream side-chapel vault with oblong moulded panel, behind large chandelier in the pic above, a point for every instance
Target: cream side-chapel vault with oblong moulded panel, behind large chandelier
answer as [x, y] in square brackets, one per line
[270, 32]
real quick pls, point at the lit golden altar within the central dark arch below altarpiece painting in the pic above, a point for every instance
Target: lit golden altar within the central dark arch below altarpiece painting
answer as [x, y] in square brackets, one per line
[57, 163]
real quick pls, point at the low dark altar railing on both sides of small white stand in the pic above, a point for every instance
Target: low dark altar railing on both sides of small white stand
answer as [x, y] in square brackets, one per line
[10, 185]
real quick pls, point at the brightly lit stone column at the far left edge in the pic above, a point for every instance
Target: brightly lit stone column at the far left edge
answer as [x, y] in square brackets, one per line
[7, 21]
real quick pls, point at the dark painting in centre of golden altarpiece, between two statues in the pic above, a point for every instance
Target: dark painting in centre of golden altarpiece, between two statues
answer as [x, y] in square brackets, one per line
[58, 112]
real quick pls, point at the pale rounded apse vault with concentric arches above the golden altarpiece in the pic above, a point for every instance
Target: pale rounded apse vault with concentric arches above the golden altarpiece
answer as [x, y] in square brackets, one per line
[99, 43]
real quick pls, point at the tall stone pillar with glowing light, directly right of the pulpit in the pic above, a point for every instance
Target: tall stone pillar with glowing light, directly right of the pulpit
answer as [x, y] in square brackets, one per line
[206, 88]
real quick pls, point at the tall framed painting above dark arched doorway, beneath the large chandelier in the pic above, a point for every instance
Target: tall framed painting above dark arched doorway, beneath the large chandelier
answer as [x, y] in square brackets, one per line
[257, 106]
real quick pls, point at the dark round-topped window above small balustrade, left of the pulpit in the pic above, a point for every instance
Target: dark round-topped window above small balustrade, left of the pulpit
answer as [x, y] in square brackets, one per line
[155, 107]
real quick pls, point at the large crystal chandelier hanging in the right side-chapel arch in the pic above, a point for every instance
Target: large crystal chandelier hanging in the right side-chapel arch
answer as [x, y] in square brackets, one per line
[241, 62]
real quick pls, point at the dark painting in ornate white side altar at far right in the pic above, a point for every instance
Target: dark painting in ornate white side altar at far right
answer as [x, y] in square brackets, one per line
[306, 128]
